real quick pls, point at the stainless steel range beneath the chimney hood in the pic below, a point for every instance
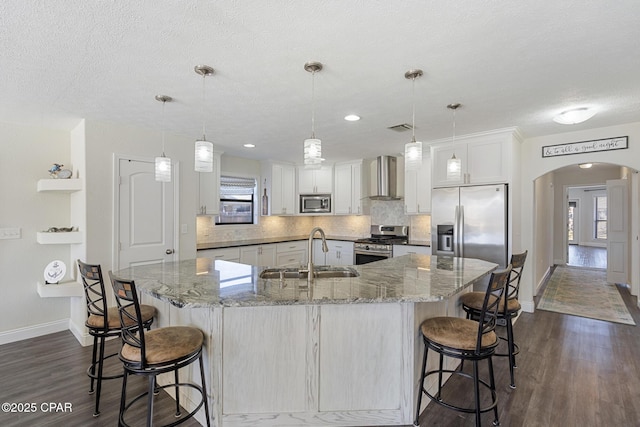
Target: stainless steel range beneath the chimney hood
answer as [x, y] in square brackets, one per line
[380, 245]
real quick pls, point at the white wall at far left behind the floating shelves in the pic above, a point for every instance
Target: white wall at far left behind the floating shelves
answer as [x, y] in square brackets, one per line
[26, 155]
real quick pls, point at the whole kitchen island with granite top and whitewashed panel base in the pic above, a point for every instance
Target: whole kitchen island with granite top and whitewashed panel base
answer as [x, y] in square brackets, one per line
[337, 352]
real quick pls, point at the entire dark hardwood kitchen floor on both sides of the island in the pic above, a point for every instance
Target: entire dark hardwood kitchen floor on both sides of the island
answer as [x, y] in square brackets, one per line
[572, 371]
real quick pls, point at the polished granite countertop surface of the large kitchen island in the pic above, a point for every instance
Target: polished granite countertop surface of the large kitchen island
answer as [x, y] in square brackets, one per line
[205, 282]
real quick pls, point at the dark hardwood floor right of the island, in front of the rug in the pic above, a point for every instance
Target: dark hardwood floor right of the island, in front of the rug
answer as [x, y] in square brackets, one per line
[572, 371]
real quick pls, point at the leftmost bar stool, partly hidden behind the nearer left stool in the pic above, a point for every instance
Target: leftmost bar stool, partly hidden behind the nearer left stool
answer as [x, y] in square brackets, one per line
[102, 322]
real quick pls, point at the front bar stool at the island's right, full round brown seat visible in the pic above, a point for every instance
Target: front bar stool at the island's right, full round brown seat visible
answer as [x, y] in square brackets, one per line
[465, 339]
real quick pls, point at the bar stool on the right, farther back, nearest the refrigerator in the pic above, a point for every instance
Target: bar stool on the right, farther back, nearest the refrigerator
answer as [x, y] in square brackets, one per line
[472, 304]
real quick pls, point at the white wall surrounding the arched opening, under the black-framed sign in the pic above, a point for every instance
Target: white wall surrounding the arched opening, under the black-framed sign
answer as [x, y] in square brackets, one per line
[534, 166]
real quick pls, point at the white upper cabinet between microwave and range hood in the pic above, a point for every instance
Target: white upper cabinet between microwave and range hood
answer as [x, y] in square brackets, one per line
[348, 194]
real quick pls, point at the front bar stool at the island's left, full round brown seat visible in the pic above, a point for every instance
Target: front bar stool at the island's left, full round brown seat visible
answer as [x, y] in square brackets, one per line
[161, 350]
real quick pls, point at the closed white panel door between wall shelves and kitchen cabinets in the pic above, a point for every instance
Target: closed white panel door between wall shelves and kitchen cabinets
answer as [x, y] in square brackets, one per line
[146, 224]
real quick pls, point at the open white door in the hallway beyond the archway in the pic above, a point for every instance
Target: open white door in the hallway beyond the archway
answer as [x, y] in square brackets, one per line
[617, 231]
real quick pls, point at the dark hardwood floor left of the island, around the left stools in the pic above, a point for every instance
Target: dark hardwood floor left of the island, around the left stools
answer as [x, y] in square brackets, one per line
[52, 369]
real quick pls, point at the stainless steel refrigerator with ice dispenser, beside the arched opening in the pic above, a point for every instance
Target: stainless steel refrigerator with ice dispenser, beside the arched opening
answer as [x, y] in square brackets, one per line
[471, 222]
